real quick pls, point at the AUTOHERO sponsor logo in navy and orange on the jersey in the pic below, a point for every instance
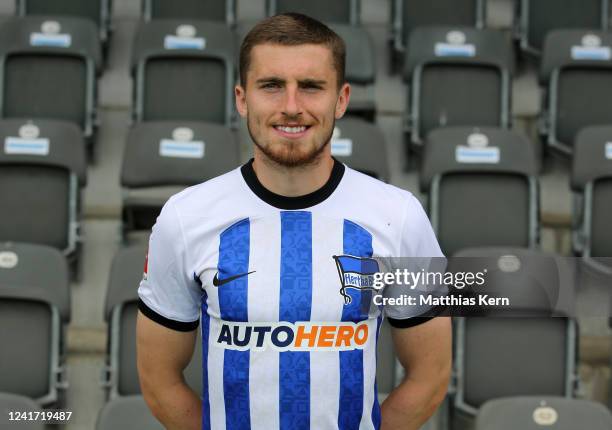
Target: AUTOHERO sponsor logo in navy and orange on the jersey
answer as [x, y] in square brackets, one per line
[284, 336]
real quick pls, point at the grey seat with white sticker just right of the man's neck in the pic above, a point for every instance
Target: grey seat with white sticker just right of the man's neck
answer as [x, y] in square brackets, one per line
[361, 145]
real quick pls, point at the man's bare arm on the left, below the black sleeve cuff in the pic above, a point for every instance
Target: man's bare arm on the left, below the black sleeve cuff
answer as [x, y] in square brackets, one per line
[162, 355]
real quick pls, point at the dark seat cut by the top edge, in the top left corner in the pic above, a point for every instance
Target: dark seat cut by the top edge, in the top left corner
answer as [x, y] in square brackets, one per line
[97, 11]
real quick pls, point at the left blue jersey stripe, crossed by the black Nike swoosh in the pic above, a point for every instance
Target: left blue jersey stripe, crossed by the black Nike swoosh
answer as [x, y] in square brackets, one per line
[234, 260]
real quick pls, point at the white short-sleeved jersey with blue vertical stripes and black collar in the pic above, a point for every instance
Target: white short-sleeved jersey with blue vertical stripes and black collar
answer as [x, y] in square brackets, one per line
[275, 284]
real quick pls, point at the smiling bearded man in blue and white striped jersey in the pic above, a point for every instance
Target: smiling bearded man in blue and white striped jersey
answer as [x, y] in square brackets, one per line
[255, 254]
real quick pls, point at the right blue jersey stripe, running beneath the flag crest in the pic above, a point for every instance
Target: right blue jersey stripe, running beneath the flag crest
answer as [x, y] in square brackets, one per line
[357, 242]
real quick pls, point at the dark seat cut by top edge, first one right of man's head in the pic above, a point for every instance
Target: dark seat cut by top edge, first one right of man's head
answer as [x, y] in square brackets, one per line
[407, 15]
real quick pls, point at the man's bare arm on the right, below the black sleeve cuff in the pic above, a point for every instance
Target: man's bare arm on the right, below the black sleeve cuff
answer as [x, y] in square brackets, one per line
[425, 352]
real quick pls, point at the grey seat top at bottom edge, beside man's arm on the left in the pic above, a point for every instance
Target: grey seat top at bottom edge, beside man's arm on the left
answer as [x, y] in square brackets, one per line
[130, 412]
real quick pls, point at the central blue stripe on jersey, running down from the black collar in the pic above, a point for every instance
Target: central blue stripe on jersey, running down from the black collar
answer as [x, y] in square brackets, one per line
[295, 305]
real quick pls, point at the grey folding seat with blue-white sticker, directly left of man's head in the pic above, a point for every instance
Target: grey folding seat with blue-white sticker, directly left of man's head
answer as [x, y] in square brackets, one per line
[184, 70]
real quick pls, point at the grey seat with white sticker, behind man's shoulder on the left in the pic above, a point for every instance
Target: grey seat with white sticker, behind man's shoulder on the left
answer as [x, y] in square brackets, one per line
[163, 157]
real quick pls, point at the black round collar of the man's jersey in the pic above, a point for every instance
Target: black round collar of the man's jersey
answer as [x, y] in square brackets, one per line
[292, 203]
